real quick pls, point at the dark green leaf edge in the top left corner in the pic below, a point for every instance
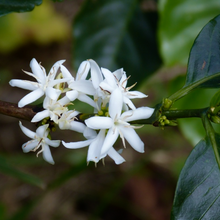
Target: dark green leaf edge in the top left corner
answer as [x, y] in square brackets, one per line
[8, 6]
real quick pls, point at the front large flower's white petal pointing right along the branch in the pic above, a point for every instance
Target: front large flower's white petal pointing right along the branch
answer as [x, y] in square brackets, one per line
[138, 114]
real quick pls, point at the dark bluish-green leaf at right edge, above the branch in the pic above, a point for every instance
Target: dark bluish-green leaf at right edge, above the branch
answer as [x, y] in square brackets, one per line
[205, 55]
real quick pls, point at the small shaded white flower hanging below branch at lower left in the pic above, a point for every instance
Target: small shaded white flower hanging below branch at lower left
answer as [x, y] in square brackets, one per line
[40, 139]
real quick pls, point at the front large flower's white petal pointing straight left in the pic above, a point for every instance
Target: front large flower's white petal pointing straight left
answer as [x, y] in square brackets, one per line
[99, 122]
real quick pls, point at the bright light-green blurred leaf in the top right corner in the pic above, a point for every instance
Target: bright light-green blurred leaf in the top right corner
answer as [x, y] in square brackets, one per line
[180, 23]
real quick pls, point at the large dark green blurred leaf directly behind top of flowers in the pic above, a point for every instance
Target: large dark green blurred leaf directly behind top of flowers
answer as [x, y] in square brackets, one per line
[117, 34]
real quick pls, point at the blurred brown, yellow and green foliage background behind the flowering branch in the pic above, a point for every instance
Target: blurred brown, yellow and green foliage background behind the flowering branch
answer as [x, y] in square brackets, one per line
[151, 40]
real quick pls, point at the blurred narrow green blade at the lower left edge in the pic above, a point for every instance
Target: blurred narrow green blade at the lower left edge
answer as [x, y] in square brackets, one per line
[10, 170]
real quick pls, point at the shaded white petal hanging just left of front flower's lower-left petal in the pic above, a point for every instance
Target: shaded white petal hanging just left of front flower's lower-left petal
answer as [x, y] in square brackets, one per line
[94, 150]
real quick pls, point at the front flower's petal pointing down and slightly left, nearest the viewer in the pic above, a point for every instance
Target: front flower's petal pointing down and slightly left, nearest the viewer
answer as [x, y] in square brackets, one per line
[110, 139]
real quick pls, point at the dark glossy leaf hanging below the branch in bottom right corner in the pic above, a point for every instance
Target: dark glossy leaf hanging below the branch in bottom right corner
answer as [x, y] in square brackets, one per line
[197, 194]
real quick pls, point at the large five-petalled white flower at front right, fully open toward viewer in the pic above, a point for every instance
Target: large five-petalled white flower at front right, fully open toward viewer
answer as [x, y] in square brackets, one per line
[117, 124]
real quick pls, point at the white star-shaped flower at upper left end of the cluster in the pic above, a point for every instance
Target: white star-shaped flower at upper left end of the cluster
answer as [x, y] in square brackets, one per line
[44, 84]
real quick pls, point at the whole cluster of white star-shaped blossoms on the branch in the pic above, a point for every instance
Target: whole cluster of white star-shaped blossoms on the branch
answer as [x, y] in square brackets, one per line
[105, 91]
